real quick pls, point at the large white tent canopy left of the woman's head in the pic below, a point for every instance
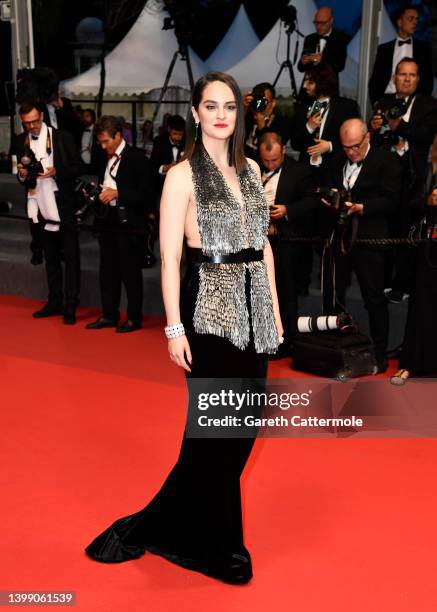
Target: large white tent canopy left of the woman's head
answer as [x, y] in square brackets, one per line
[139, 63]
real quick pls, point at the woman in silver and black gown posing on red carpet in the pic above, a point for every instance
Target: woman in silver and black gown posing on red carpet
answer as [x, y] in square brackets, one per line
[222, 324]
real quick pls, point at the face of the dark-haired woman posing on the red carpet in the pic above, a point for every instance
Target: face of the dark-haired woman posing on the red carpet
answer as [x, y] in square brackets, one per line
[217, 112]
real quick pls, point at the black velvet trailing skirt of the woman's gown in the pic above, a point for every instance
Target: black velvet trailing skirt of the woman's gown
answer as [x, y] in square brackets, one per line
[195, 519]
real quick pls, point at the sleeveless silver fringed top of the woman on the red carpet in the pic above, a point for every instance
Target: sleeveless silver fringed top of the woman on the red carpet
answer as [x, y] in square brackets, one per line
[228, 226]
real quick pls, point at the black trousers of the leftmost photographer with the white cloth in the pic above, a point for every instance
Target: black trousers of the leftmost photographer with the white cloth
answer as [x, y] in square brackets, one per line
[58, 246]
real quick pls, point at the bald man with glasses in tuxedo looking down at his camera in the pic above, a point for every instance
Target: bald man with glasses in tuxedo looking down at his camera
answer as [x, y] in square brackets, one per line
[372, 177]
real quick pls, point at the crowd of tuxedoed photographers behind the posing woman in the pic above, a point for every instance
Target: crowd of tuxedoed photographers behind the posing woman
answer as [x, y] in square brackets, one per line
[352, 184]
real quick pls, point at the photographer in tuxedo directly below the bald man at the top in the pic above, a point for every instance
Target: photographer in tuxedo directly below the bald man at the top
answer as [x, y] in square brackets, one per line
[316, 128]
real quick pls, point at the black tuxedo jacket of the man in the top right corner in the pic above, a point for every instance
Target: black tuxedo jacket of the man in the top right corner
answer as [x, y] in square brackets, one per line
[382, 68]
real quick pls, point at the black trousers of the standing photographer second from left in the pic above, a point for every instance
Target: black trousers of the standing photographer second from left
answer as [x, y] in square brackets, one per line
[120, 262]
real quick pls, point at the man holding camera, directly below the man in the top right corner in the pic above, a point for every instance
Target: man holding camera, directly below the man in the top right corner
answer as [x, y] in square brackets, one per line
[409, 136]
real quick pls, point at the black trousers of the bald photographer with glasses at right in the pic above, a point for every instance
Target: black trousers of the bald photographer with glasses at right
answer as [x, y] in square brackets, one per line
[368, 266]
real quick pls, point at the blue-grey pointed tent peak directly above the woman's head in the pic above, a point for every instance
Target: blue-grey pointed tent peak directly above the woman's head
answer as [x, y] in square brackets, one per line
[238, 42]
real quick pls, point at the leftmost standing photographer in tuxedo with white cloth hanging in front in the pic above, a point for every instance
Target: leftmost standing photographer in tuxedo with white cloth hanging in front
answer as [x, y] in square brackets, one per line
[52, 198]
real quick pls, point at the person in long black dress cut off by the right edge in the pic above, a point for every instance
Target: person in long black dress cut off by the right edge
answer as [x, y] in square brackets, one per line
[419, 350]
